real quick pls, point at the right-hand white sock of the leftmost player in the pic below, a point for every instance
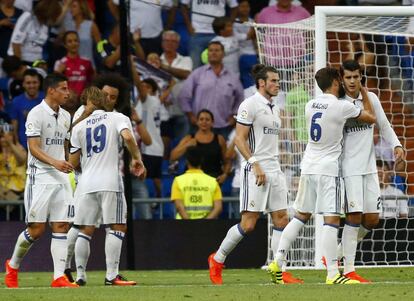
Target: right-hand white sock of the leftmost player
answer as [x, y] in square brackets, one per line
[59, 250]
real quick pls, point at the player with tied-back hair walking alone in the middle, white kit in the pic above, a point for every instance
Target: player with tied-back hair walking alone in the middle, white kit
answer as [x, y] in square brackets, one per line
[262, 183]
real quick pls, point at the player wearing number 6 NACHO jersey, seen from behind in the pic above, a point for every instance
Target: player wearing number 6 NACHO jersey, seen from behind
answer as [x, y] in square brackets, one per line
[319, 186]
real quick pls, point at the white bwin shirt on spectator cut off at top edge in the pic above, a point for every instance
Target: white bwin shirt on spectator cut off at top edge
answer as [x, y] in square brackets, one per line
[214, 8]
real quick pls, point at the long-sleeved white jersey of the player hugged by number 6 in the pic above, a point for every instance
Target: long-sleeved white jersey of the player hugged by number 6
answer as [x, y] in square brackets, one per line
[358, 156]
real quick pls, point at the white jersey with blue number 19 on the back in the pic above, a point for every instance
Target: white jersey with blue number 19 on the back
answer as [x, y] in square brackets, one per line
[97, 137]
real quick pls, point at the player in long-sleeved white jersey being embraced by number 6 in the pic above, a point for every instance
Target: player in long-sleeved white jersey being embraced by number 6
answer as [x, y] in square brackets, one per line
[362, 190]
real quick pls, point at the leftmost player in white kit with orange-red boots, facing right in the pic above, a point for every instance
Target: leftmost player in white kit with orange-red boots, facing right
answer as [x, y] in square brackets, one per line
[48, 195]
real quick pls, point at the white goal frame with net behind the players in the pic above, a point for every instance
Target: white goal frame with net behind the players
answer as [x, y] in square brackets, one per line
[332, 35]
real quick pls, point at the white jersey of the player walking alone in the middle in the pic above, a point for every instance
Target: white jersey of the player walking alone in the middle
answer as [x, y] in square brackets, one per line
[264, 120]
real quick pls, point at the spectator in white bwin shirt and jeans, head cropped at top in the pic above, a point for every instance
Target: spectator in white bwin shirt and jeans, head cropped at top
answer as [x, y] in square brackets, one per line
[200, 26]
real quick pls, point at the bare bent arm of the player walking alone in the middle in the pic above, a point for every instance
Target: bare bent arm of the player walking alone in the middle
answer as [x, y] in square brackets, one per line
[242, 133]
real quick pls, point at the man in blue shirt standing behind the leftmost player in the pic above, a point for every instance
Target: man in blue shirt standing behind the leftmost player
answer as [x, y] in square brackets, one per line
[23, 103]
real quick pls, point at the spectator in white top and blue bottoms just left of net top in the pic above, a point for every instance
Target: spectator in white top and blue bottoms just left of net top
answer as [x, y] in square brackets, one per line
[248, 55]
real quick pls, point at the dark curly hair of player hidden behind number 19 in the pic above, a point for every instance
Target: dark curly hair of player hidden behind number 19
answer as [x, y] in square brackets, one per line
[123, 104]
